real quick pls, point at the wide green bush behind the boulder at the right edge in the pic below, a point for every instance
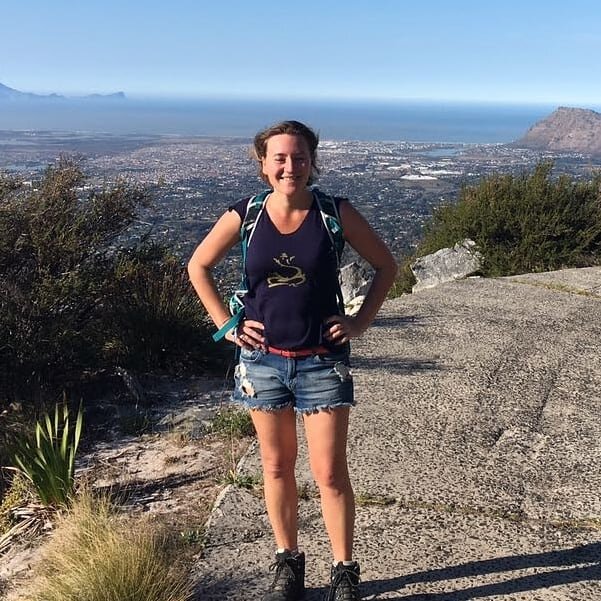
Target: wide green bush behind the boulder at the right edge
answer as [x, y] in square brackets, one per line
[525, 223]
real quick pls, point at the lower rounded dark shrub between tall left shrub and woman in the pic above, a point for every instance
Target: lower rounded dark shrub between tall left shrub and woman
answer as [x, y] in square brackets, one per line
[154, 318]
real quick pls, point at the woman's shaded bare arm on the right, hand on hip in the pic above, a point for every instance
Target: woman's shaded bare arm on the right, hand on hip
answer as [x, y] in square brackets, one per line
[361, 236]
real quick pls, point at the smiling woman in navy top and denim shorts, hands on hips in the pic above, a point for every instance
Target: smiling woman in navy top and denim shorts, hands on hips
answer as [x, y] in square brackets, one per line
[294, 345]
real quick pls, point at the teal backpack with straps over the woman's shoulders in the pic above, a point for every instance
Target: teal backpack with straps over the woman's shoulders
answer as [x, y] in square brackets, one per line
[256, 204]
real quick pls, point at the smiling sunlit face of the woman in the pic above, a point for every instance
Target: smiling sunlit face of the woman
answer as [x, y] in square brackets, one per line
[287, 163]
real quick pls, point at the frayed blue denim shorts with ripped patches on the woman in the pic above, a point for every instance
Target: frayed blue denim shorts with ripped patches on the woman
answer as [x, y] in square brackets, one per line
[268, 381]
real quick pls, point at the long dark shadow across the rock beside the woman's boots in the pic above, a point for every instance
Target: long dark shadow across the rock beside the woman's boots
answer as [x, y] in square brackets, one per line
[569, 560]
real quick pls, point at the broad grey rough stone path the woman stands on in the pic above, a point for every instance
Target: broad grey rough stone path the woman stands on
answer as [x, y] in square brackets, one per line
[475, 451]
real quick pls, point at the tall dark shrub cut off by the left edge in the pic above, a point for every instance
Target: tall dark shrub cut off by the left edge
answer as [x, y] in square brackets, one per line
[55, 260]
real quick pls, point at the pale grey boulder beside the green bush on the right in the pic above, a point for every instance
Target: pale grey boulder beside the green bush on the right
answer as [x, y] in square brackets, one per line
[446, 265]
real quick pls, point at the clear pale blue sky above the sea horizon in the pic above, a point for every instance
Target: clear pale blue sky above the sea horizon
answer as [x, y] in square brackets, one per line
[511, 51]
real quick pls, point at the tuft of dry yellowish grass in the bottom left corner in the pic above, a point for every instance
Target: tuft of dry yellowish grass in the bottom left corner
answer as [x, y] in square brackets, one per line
[92, 556]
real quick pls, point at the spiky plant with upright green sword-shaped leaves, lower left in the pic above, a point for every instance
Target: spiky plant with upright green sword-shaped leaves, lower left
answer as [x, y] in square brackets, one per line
[47, 459]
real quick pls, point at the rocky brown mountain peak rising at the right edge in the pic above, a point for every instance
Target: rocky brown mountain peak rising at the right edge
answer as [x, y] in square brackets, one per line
[566, 129]
